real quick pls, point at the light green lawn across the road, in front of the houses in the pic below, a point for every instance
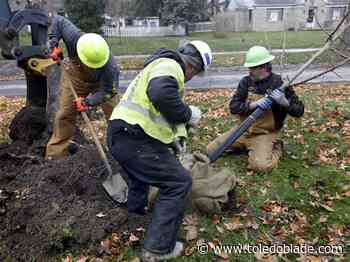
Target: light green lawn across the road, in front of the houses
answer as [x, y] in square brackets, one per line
[240, 41]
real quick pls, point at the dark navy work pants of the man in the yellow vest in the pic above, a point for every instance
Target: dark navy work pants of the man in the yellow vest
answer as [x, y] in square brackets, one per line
[147, 162]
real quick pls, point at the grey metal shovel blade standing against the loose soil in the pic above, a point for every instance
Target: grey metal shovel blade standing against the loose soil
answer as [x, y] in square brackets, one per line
[116, 188]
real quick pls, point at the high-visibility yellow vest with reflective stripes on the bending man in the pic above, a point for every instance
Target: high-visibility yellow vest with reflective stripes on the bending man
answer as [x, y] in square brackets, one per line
[135, 107]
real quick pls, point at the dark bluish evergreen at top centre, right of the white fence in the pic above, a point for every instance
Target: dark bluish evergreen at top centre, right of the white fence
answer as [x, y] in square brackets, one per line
[182, 11]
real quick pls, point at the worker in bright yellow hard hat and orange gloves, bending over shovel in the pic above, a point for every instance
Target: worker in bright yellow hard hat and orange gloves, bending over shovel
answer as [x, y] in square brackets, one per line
[91, 70]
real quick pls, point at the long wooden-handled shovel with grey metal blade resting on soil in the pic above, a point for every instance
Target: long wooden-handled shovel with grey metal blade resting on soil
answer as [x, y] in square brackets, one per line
[115, 186]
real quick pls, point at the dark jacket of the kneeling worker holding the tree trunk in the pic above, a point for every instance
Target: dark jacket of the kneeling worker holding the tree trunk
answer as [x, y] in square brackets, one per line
[240, 105]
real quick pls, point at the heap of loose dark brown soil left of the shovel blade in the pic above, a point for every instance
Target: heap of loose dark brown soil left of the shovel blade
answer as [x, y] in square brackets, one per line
[51, 206]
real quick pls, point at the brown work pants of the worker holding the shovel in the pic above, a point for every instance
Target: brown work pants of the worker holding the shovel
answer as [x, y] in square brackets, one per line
[74, 75]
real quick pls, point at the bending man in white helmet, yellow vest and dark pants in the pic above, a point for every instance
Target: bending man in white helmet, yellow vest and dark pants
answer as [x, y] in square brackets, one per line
[150, 117]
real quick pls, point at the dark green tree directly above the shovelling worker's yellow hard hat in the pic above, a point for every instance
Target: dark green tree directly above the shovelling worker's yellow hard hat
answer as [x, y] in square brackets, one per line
[86, 14]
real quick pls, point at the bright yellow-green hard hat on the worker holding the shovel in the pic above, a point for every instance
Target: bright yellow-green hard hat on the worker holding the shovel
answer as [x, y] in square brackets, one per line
[93, 51]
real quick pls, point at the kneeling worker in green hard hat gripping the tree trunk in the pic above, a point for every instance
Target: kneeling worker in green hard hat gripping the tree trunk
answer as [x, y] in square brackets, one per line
[264, 150]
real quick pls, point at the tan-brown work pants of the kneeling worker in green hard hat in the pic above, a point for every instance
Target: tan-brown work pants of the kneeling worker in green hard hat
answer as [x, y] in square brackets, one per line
[264, 152]
